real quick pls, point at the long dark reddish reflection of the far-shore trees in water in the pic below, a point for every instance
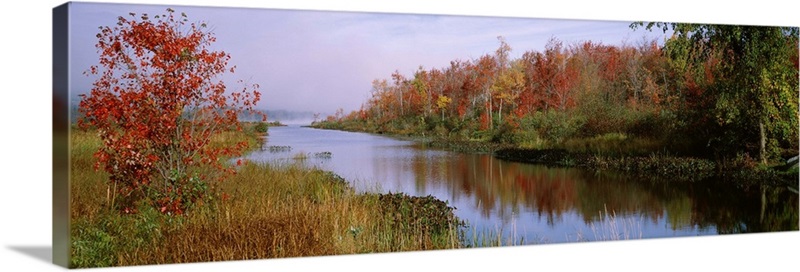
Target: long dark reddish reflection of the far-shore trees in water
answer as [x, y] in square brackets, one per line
[502, 188]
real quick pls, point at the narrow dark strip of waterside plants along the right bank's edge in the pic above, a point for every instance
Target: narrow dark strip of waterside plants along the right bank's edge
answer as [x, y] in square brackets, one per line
[647, 166]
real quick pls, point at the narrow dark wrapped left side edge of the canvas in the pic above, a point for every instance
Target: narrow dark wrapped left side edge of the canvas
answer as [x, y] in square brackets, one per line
[60, 128]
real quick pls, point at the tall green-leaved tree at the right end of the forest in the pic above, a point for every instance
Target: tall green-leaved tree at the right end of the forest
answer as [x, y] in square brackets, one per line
[754, 94]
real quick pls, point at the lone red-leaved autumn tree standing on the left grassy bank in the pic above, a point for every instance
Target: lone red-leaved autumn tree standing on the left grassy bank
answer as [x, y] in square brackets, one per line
[156, 104]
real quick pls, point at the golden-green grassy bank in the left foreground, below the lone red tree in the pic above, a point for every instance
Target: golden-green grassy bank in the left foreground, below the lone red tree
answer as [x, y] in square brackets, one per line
[265, 212]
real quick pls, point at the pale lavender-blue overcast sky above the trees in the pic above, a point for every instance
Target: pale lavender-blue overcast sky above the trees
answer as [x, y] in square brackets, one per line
[321, 61]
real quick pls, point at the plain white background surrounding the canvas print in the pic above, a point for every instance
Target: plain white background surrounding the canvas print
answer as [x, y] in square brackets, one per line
[25, 187]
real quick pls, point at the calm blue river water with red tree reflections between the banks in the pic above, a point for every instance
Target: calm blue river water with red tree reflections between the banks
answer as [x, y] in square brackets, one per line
[536, 203]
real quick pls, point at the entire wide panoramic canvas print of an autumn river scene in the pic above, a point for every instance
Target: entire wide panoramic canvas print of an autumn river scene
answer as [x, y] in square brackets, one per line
[200, 134]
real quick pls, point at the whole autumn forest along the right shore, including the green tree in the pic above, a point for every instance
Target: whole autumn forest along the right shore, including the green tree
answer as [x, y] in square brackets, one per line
[684, 110]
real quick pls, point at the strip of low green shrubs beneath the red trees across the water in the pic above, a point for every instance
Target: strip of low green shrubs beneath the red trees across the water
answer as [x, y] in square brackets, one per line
[543, 131]
